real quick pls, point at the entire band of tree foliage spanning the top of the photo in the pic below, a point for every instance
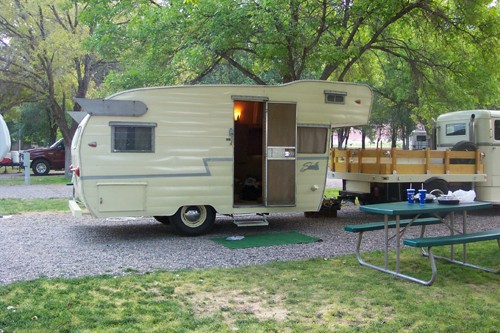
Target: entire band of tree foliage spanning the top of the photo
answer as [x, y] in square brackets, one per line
[422, 57]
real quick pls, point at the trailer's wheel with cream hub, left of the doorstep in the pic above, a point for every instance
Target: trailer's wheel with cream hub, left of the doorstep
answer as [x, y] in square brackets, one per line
[193, 220]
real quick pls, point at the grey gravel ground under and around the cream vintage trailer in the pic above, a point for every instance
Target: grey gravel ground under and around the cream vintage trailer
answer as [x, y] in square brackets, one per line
[57, 245]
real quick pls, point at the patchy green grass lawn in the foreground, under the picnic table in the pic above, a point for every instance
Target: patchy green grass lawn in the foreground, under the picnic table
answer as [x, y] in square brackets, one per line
[321, 295]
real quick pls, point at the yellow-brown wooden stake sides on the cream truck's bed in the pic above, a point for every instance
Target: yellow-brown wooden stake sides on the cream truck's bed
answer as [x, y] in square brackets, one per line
[398, 161]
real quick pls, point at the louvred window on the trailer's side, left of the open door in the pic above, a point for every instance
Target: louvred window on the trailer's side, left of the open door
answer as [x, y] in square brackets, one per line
[132, 137]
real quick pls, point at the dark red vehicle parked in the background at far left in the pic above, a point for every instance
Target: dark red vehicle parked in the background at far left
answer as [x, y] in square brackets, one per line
[45, 159]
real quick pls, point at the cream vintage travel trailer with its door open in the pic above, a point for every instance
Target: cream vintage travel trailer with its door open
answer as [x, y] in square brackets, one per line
[186, 153]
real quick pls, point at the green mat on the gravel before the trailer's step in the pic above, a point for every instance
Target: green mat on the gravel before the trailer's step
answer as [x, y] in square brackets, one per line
[270, 239]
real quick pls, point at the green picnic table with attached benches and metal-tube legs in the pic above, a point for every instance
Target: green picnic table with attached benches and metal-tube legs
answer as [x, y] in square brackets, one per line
[422, 215]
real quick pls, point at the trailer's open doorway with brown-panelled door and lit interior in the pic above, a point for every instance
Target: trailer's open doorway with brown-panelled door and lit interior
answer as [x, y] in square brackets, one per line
[265, 140]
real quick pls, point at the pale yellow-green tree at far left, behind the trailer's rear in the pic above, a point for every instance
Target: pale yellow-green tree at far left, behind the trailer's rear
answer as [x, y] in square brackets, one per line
[42, 58]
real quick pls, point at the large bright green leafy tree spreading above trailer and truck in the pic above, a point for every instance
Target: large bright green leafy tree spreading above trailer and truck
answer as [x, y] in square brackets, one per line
[424, 56]
